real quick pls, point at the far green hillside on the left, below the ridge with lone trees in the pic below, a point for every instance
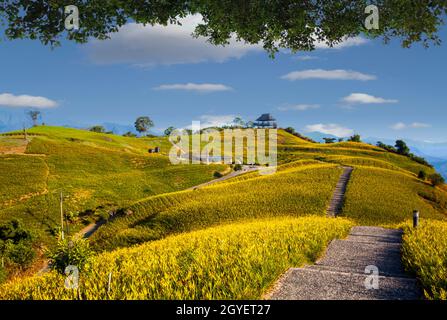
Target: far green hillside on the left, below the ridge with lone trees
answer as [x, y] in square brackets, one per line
[96, 172]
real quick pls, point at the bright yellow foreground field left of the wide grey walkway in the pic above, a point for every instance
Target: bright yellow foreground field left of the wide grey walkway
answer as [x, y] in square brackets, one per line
[238, 261]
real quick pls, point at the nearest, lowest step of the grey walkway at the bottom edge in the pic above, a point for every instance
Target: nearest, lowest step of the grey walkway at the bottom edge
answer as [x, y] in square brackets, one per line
[310, 284]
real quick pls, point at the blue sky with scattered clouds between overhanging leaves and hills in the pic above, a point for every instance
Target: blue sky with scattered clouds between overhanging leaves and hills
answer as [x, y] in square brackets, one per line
[373, 89]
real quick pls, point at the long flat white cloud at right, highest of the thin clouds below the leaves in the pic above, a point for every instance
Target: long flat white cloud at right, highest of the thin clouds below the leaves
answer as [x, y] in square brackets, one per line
[328, 75]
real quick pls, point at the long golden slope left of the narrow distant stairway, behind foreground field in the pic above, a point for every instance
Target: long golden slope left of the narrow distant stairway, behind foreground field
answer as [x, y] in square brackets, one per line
[301, 190]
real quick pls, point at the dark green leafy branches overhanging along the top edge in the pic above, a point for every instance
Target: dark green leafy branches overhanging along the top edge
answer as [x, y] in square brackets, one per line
[291, 24]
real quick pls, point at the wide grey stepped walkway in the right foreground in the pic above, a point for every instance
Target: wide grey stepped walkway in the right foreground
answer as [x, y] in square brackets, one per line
[340, 275]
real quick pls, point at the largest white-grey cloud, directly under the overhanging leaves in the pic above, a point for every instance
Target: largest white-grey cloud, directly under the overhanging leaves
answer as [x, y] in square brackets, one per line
[166, 45]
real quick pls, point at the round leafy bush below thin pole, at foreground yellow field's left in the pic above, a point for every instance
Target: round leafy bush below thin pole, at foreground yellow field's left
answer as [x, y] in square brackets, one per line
[67, 252]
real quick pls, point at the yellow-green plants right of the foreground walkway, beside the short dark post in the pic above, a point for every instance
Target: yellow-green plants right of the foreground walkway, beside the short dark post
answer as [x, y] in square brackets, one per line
[425, 254]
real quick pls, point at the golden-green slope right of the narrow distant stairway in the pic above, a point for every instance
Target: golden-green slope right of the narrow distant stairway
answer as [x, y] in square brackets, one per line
[378, 196]
